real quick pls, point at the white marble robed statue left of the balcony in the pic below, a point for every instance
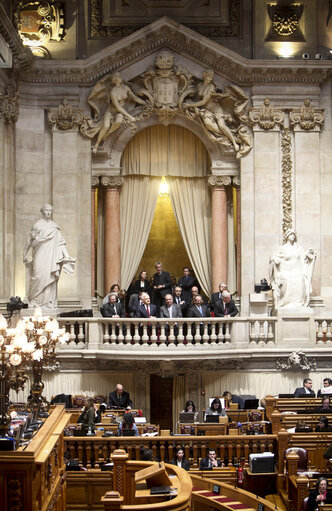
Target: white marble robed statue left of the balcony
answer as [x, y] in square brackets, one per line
[49, 256]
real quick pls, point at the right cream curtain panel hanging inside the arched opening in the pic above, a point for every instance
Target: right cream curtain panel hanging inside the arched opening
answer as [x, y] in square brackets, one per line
[192, 207]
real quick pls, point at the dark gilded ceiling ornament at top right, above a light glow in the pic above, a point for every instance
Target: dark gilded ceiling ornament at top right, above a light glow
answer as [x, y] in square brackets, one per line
[285, 18]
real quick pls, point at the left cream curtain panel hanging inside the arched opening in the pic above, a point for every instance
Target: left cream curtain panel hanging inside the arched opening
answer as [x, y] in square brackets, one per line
[138, 201]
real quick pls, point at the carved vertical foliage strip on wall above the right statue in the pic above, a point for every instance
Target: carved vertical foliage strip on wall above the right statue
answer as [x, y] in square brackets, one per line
[287, 180]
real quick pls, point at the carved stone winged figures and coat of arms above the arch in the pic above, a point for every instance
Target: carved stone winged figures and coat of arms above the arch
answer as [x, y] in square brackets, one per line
[164, 90]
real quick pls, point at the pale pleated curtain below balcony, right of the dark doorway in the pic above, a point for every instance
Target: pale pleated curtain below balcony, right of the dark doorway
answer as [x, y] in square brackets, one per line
[260, 384]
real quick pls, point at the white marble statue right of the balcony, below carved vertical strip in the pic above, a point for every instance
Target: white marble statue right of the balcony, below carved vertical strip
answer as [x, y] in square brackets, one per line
[290, 272]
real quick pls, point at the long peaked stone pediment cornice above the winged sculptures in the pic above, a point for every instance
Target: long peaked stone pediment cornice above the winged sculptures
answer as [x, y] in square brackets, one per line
[166, 34]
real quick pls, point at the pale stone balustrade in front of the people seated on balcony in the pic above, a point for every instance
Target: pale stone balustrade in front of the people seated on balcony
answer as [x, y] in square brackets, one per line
[168, 334]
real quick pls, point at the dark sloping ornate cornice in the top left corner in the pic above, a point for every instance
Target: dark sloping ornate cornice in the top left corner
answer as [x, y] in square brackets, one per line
[22, 57]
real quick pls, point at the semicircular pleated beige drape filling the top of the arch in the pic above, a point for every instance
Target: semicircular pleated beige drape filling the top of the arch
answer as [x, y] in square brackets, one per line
[166, 150]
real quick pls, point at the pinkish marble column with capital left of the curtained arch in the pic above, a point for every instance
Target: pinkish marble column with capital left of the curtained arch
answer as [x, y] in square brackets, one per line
[112, 233]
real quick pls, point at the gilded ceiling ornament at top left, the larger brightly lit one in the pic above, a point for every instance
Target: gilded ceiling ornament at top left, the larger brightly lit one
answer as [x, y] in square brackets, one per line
[38, 22]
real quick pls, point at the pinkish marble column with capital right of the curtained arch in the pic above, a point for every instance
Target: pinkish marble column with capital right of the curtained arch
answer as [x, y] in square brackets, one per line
[219, 239]
